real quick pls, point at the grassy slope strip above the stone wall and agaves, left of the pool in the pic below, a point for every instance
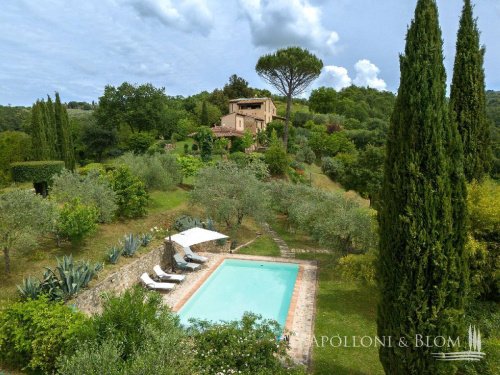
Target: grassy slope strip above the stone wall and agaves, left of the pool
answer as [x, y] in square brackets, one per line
[164, 207]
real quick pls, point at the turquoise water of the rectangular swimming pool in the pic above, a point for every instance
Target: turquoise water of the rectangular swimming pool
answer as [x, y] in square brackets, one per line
[237, 286]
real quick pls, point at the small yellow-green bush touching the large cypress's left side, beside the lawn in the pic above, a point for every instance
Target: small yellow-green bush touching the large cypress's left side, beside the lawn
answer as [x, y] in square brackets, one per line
[359, 267]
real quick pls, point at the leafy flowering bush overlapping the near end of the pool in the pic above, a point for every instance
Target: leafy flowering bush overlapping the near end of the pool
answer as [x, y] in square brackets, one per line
[249, 346]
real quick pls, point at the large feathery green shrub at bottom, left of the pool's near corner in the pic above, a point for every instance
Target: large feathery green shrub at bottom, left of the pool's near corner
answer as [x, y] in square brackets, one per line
[135, 334]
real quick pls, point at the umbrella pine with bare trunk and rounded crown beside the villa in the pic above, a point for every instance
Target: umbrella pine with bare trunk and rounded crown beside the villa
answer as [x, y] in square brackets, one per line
[290, 70]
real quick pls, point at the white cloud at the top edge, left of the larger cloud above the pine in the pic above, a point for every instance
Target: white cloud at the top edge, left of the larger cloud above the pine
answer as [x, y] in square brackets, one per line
[191, 16]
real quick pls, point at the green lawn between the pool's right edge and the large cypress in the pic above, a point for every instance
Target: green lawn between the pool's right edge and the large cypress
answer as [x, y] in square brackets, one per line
[343, 308]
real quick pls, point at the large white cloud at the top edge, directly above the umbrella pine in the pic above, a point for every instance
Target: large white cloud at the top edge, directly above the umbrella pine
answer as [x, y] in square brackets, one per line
[281, 23]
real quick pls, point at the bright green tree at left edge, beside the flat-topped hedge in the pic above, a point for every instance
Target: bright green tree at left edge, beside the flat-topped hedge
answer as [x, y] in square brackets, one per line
[15, 146]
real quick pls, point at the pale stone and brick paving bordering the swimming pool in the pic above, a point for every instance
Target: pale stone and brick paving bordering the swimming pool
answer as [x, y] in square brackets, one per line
[300, 319]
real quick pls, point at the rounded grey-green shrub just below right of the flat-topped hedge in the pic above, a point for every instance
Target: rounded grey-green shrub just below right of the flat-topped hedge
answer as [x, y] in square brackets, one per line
[91, 189]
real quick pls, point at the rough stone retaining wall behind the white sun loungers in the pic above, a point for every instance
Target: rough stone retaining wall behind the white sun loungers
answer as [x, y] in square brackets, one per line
[90, 300]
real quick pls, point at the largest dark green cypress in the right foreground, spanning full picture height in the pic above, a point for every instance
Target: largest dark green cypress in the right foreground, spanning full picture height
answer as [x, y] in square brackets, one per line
[421, 270]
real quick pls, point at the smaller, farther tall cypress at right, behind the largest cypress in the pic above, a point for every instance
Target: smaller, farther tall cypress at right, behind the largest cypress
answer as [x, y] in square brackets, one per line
[468, 97]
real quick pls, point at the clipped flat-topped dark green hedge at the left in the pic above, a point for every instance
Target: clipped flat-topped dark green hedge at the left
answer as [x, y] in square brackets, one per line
[36, 171]
